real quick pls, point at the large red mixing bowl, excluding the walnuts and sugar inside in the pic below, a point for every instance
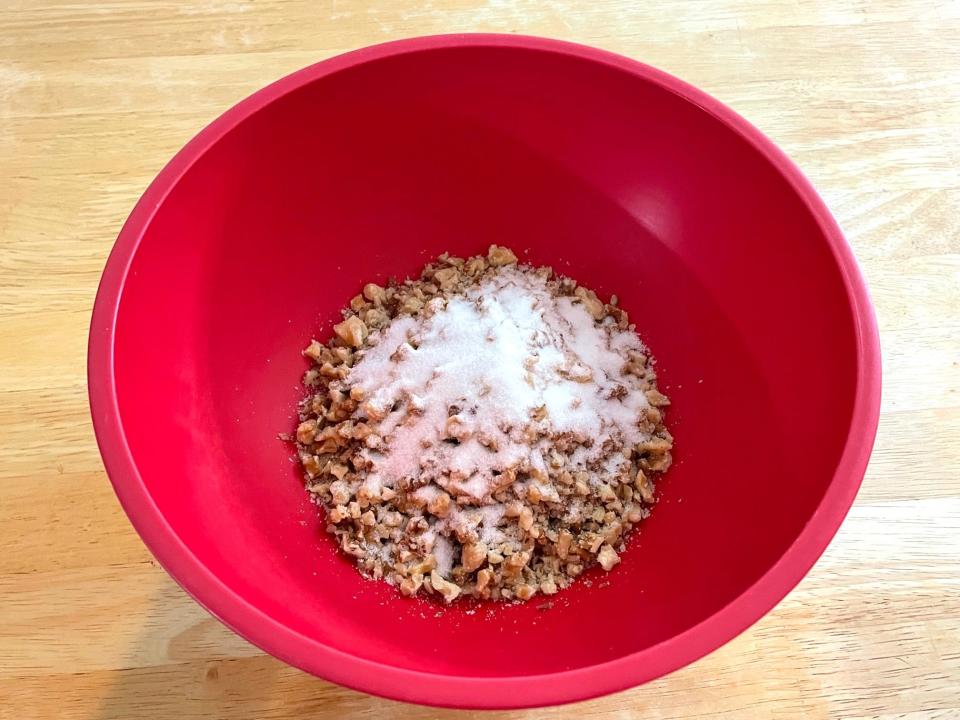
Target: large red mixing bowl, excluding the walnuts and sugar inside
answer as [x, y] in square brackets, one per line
[367, 165]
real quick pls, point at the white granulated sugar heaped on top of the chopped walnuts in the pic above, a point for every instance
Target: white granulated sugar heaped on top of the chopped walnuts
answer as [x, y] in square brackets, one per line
[492, 357]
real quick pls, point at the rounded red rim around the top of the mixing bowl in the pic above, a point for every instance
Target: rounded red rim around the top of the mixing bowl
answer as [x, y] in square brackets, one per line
[456, 691]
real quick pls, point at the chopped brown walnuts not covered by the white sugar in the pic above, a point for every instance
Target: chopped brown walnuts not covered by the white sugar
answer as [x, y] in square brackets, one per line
[554, 518]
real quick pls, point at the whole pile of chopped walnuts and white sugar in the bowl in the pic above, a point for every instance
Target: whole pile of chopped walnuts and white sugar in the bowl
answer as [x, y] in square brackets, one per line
[488, 430]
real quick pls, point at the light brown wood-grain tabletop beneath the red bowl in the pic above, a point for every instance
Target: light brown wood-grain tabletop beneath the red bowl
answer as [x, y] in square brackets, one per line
[95, 97]
